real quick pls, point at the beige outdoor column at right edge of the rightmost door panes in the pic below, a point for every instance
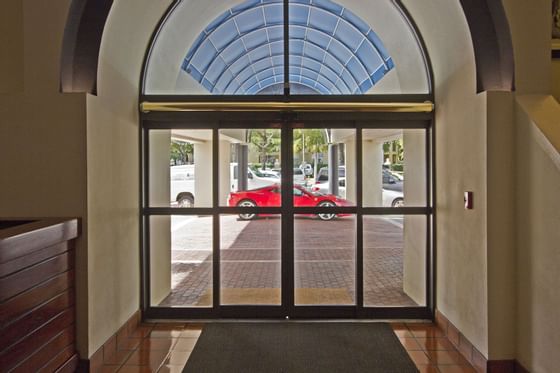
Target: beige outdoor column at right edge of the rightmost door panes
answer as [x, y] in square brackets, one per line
[414, 188]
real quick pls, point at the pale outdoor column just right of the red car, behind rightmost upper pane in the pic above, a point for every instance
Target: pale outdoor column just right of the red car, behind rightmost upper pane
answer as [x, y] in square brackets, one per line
[372, 163]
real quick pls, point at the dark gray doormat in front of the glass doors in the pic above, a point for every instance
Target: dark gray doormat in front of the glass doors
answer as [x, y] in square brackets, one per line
[298, 348]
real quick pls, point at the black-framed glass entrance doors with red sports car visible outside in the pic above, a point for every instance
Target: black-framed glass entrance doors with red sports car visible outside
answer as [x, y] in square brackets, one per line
[315, 218]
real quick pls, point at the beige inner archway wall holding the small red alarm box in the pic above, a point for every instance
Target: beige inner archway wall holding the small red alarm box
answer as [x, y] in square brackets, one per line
[460, 166]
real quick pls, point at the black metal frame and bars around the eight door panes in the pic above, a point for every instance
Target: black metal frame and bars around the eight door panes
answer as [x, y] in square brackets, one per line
[286, 120]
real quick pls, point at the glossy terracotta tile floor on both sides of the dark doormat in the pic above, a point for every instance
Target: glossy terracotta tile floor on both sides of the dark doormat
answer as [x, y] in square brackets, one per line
[166, 348]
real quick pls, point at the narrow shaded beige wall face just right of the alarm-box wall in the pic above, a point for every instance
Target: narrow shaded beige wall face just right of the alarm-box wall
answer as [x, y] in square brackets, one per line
[501, 253]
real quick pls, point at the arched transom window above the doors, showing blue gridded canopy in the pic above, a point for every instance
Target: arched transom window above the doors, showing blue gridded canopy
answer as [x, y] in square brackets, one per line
[232, 48]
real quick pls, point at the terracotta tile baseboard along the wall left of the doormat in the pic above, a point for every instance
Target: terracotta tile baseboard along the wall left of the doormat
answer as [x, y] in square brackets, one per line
[107, 349]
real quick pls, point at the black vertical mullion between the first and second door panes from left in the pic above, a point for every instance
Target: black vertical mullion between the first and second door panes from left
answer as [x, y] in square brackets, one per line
[216, 265]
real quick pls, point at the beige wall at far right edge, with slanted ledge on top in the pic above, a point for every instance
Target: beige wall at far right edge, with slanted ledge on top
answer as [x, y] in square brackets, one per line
[538, 236]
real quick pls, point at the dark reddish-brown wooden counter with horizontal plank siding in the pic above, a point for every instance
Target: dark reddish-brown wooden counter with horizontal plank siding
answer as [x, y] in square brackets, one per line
[37, 313]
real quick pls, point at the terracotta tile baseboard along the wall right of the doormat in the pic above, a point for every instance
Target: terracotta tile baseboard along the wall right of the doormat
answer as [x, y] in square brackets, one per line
[469, 352]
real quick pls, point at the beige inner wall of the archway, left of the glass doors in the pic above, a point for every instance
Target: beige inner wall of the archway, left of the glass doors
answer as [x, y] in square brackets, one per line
[113, 169]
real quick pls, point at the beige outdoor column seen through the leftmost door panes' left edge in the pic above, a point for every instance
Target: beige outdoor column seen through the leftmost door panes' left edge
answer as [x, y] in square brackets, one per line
[160, 227]
